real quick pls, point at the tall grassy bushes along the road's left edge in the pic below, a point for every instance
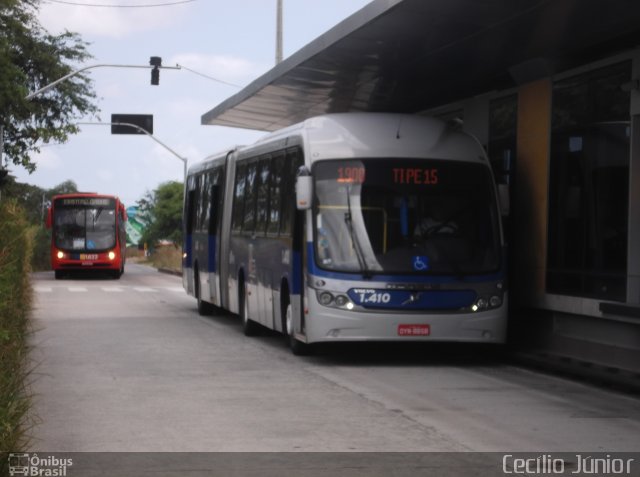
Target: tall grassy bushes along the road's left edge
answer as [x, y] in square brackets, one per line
[16, 242]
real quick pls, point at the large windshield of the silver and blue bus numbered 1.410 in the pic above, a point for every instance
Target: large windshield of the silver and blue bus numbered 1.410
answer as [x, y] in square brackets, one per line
[405, 216]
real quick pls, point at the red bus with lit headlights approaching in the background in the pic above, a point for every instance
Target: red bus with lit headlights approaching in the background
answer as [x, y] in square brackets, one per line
[88, 233]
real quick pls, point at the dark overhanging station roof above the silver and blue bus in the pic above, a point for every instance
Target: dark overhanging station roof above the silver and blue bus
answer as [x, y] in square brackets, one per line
[411, 55]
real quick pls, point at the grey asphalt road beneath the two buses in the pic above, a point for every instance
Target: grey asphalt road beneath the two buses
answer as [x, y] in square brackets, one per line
[128, 365]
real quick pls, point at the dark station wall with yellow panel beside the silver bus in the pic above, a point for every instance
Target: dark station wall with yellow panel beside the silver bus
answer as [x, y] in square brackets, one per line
[568, 145]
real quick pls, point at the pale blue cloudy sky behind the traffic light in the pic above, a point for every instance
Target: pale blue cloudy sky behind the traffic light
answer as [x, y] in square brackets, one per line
[230, 41]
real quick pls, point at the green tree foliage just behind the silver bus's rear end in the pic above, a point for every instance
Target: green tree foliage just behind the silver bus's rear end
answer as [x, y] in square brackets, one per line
[164, 206]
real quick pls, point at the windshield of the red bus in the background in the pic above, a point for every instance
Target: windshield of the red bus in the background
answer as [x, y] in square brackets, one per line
[84, 224]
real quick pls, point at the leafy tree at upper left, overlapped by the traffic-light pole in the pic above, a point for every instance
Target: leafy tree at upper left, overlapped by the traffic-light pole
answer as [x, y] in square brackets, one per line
[31, 58]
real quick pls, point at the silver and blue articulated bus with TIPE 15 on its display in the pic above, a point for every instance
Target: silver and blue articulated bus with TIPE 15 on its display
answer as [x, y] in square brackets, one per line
[350, 227]
